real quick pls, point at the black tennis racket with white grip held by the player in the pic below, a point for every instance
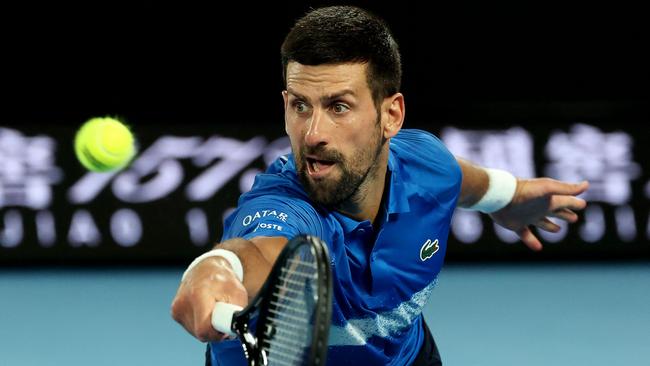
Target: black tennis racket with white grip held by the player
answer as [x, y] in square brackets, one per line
[288, 321]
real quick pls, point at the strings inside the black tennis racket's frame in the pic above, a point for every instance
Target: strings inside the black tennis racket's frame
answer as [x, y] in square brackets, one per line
[289, 323]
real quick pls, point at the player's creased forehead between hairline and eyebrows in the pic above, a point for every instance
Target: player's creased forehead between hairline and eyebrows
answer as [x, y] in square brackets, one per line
[327, 79]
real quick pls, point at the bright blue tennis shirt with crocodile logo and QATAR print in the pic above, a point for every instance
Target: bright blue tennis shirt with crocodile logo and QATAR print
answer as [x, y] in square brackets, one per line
[381, 279]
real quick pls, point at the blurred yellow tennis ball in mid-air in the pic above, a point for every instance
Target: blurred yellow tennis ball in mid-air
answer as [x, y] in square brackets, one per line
[104, 144]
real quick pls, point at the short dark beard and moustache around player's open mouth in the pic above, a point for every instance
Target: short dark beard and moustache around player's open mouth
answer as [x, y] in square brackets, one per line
[354, 171]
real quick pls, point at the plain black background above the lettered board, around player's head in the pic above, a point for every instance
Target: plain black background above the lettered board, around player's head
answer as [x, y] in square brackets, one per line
[216, 61]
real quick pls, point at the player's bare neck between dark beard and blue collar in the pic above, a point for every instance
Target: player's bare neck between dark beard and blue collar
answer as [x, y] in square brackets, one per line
[366, 202]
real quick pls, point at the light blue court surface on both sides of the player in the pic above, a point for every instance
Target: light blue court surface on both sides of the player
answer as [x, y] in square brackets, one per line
[533, 314]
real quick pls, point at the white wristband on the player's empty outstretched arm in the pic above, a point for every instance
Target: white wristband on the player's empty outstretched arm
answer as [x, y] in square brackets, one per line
[501, 190]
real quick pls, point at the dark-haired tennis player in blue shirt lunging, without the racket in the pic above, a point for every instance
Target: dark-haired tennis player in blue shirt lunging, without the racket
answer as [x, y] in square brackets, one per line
[382, 197]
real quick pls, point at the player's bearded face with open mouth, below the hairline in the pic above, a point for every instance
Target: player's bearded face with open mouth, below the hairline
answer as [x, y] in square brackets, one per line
[334, 128]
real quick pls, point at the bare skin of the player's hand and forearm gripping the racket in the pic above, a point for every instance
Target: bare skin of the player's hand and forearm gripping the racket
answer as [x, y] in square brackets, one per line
[212, 280]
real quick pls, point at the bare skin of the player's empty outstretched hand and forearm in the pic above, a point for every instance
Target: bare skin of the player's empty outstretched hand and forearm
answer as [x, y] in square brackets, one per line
[533, 202]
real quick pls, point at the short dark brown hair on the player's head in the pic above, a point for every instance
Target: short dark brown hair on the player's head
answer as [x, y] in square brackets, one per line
[340, 34]
